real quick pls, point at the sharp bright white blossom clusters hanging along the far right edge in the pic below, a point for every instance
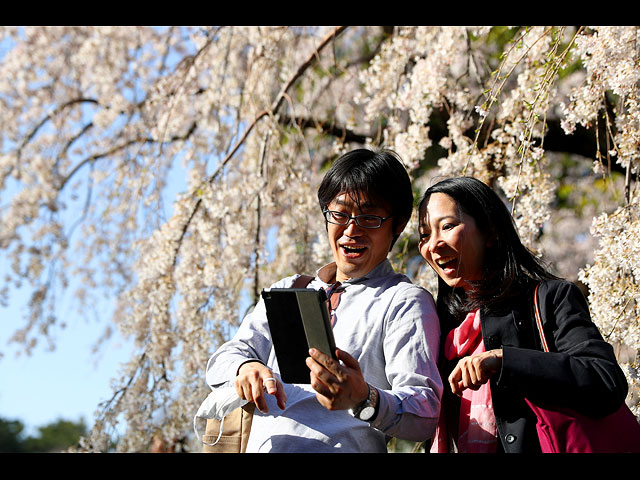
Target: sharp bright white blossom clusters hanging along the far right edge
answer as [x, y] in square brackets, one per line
[609, 55]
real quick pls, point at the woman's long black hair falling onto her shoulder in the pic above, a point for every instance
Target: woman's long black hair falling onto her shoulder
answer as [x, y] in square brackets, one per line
[509, 266]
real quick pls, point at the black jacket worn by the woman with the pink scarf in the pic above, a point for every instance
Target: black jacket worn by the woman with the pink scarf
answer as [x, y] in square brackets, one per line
[580, 371]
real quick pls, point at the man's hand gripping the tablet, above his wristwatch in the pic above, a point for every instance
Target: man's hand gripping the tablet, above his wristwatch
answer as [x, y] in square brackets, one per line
[338, 386]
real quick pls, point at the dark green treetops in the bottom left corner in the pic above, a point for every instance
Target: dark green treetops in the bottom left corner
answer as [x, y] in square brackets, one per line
[54, 437]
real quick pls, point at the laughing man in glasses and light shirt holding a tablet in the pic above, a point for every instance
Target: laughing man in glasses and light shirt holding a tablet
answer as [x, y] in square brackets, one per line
[385, 382]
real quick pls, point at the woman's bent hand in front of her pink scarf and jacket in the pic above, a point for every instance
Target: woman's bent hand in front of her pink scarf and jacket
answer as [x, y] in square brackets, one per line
[475, 370]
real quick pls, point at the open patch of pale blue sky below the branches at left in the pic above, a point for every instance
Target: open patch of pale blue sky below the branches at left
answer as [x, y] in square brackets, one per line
[66, 383]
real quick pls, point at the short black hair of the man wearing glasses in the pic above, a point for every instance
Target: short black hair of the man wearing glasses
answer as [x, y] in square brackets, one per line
[377, 175]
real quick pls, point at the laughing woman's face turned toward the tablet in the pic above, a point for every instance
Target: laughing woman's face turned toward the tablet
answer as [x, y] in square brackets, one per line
[450, 241]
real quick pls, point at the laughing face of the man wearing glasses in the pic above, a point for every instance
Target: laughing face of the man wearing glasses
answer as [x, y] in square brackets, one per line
[357, 250]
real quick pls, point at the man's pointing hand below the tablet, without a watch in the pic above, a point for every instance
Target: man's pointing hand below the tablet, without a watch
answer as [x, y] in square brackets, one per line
[254, 380]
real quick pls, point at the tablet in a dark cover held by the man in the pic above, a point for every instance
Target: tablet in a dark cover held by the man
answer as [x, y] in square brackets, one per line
[298, 320]
